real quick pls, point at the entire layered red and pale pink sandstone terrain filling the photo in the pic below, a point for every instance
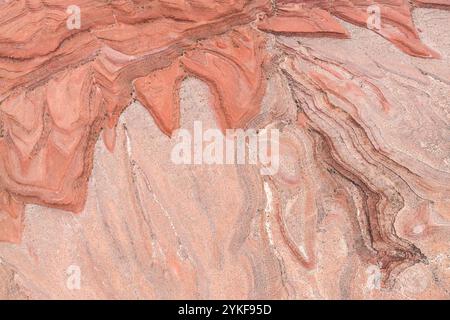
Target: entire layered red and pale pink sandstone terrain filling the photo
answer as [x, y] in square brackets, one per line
[360, 207]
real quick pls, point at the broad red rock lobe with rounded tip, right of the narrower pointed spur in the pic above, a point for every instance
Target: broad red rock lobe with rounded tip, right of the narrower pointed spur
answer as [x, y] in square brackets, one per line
[232, 65]
